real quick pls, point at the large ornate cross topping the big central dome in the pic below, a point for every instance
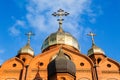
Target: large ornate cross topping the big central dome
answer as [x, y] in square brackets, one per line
[60, 13]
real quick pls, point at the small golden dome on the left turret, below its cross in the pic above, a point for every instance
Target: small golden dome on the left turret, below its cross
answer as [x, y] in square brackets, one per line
[26, 49]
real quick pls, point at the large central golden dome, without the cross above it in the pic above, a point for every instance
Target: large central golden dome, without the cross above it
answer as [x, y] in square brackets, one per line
[60, 37]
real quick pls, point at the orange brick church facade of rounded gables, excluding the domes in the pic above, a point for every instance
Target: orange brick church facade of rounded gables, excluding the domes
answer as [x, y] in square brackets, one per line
[26, 67]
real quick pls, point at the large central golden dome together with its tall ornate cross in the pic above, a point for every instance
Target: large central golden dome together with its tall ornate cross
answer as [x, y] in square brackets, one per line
[60, 37]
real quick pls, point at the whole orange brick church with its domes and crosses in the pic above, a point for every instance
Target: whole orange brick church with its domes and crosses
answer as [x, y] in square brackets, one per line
[60, 59]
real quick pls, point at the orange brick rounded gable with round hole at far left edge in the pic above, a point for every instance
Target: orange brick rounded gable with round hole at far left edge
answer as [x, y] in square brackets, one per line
[11, 67]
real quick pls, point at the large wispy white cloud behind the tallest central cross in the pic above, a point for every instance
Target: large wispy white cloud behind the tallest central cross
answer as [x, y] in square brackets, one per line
[40, 18]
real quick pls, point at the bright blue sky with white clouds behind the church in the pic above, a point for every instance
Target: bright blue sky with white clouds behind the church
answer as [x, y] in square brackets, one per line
[17, 17]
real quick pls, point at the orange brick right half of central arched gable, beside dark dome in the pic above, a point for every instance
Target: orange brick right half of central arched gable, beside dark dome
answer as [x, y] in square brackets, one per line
[86, 64]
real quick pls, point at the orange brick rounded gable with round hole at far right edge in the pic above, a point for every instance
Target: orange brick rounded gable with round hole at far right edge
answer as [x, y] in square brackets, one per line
[107, 68]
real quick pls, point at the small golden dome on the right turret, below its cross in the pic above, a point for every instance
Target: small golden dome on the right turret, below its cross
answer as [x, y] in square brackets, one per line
[95, 50]
